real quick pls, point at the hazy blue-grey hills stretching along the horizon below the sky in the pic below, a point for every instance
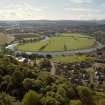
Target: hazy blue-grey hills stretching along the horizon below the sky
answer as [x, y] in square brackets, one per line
[32, 23]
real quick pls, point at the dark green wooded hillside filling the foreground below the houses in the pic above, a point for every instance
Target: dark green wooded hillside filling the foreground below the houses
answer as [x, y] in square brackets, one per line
[23, 84]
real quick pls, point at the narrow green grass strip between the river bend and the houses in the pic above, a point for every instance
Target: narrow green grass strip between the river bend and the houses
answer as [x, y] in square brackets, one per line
[70, 59]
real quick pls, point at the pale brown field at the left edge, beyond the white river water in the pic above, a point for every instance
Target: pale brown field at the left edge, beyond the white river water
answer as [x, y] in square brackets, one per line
[4, 38]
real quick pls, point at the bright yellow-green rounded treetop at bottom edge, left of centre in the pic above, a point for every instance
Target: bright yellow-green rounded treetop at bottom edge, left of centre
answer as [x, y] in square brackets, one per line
[31, 98]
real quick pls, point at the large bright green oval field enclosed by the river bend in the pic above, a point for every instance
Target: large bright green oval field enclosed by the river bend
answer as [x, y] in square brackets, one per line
[63, 42]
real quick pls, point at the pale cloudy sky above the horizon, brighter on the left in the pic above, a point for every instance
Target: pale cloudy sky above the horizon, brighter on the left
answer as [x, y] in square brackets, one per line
[52, 9]
